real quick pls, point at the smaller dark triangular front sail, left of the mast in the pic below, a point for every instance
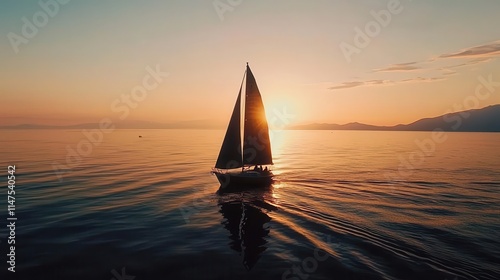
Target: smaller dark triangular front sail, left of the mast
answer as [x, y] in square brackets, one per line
[230, 152]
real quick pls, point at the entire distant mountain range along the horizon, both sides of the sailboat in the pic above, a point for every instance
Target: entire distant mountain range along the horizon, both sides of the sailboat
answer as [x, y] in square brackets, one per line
[478, 120]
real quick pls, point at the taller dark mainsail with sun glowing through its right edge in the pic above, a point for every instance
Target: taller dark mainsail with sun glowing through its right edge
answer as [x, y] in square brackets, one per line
[256, 144]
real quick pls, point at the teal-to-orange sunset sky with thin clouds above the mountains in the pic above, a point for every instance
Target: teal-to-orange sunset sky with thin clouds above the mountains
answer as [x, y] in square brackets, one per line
[380, 62]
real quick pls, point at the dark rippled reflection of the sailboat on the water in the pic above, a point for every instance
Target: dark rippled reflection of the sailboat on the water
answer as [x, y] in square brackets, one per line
[245, 217]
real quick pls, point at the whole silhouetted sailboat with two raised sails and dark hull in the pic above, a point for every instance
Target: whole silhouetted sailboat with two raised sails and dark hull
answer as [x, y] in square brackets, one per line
[246, 161]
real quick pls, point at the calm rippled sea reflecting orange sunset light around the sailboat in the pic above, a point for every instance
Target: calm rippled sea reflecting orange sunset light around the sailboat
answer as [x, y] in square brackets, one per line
[346, 205]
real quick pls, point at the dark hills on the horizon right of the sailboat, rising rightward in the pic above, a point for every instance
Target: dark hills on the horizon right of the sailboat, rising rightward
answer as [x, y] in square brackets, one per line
[478, 120]
